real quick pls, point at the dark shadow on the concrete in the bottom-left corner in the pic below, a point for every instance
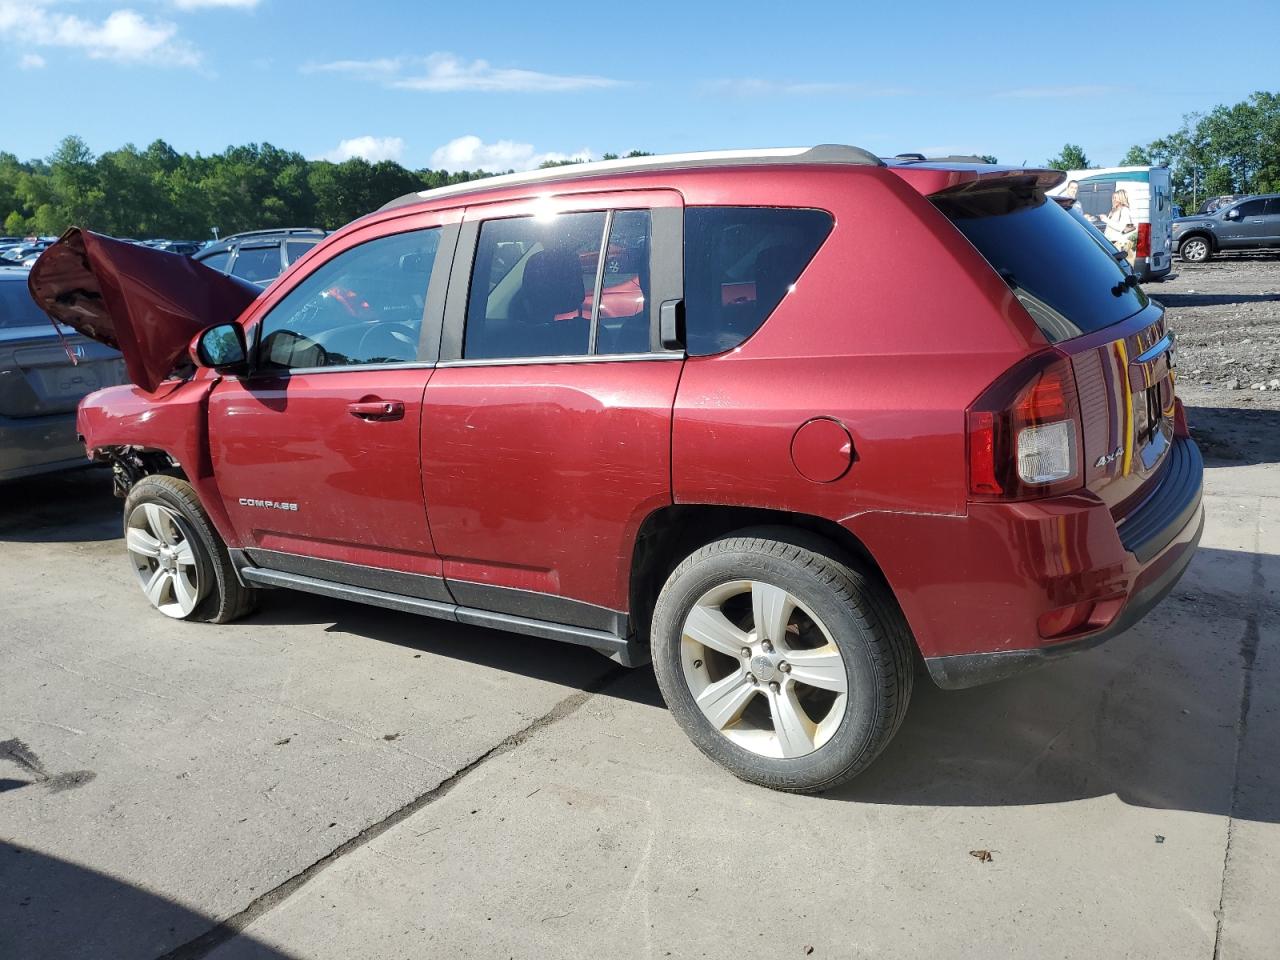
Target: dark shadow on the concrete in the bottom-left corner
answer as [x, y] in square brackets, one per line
[60, 911]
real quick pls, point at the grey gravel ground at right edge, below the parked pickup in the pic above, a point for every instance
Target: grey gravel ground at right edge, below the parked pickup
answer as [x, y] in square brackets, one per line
[1227, 314]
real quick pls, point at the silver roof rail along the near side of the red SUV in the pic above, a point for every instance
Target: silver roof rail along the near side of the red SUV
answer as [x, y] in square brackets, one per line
[824, 154]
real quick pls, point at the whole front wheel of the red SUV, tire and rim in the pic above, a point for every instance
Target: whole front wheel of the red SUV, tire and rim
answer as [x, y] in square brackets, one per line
[181, 561]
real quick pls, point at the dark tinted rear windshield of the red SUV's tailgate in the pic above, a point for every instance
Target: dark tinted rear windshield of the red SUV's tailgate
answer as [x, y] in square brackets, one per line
[1059, 273]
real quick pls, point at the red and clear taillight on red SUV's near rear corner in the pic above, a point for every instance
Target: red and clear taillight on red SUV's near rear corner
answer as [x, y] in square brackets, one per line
[1025, 432]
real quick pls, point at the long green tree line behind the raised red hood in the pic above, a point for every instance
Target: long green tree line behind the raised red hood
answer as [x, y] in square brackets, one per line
[163, 193]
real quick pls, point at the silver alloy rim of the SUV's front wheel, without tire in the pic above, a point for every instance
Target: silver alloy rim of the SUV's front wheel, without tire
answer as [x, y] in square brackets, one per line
[164, 560]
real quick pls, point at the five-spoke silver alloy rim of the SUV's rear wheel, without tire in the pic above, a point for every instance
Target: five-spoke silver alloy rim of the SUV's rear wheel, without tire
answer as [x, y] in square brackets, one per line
[764, 670]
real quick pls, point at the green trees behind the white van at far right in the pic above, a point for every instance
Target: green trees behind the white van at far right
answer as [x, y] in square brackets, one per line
[1232, 149]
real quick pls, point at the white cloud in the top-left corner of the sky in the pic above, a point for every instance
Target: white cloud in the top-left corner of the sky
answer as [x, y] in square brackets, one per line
[124, 36]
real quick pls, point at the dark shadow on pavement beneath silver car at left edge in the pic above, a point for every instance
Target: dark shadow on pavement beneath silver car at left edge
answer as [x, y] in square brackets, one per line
[63, 508]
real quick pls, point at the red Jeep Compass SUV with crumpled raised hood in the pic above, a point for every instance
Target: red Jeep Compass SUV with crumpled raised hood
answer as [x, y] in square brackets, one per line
[778, 420]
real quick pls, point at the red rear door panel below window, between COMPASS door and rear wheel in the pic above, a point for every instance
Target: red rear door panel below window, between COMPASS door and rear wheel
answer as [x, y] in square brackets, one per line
[540, 476]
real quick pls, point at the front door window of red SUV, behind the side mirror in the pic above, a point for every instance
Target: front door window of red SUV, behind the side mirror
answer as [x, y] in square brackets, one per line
[363, 307]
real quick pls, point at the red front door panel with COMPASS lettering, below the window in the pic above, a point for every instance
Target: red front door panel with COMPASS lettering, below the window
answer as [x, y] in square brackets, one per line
[300, 473]
